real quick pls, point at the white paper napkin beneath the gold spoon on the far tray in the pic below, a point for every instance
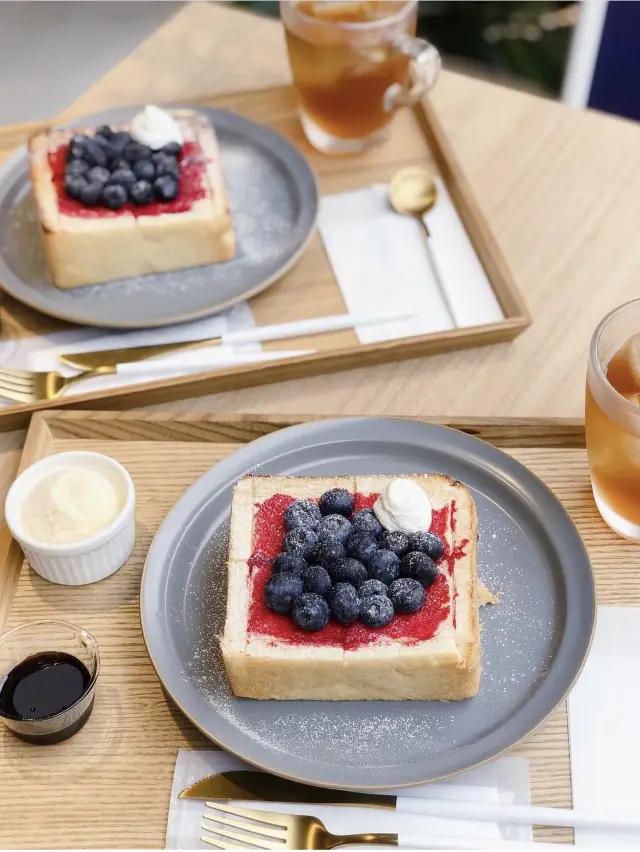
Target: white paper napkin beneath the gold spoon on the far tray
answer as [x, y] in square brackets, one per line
[382, 258]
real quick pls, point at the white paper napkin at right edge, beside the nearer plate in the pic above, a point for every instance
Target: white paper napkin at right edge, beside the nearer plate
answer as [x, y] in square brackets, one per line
[603, 713]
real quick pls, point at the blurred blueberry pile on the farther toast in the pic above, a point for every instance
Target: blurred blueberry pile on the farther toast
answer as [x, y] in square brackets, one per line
[111, 168]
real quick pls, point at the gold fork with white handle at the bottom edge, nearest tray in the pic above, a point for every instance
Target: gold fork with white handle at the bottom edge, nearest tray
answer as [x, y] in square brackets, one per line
[241, 828]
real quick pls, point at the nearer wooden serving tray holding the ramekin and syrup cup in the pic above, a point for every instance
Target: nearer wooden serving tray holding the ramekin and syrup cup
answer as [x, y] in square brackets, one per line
[109, 785]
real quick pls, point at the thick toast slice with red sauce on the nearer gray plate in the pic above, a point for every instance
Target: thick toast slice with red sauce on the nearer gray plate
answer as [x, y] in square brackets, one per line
[430, 655]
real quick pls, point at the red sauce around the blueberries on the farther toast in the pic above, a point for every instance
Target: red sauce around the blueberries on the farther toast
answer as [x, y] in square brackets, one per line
[192, 165]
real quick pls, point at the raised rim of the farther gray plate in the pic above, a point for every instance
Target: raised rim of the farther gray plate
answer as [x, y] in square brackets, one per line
[15, 170]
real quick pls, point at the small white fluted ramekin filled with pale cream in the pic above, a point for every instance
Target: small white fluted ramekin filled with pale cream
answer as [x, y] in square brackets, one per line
[85, 540]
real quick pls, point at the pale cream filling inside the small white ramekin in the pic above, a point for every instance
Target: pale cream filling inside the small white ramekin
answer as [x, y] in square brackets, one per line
[70, 505]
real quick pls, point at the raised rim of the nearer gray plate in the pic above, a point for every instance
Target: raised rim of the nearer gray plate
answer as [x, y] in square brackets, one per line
[310, 427]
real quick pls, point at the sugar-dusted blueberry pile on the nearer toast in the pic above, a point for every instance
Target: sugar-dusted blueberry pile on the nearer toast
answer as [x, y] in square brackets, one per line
[341, 563]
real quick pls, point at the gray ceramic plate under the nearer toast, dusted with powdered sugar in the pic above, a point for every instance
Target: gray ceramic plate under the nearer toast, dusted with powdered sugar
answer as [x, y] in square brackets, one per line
[534, 641]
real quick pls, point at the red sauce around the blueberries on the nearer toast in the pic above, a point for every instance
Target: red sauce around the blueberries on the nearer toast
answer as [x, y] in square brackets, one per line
[267, 543]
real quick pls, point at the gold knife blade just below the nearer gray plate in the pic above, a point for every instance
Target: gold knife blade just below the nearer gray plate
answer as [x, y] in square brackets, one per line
[248, 786]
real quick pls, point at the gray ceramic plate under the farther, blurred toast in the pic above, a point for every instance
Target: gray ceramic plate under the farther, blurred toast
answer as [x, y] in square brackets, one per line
[274, 204]
